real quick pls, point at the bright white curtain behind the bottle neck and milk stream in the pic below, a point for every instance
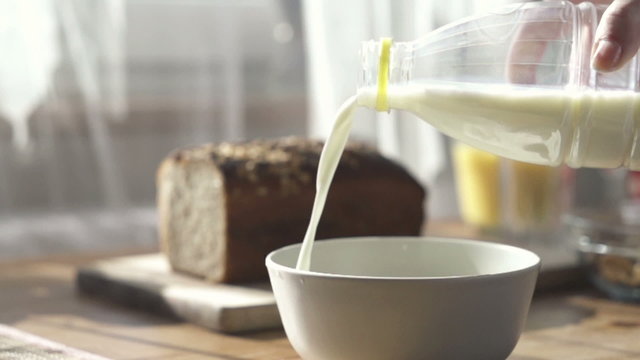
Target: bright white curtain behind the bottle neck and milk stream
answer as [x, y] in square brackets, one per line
[334, 30]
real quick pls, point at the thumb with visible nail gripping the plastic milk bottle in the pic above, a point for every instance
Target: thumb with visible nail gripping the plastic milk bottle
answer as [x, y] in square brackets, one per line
[618, 35]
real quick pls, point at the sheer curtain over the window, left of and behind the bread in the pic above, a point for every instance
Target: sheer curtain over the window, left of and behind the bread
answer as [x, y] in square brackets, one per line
[94, 93]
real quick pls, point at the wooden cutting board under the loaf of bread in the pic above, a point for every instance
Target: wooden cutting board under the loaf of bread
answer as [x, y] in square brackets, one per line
[147, 282]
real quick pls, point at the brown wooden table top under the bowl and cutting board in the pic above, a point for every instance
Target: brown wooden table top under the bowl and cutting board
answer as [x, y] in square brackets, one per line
[39, 297]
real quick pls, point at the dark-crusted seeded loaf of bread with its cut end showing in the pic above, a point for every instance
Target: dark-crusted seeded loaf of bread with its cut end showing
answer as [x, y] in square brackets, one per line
[222, 208]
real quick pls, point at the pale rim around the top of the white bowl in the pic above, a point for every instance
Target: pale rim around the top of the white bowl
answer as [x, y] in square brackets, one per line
[271, 264]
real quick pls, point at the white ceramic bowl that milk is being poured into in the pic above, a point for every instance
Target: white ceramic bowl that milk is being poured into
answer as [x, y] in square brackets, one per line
[395, 298]
